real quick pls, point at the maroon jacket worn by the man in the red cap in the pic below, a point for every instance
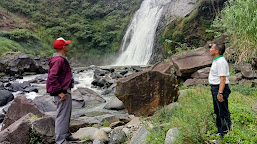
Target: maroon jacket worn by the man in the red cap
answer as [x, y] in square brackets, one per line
[59, 75]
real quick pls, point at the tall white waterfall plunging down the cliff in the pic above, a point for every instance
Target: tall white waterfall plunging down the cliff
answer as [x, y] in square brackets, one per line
[138, 41]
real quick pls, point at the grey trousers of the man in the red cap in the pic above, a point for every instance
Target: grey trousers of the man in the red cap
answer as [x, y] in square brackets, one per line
[62, 121]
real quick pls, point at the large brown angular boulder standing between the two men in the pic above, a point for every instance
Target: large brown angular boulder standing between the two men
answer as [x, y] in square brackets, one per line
[143, 92]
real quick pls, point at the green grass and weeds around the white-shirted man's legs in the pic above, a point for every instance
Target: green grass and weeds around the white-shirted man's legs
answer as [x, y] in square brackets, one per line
[196, 121]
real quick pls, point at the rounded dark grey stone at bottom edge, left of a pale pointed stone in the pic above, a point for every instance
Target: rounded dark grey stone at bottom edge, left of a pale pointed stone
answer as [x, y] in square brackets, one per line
[117, 136]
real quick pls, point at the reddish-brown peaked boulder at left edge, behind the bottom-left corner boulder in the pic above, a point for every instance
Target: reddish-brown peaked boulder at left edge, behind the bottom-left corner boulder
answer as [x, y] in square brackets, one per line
[20, 107]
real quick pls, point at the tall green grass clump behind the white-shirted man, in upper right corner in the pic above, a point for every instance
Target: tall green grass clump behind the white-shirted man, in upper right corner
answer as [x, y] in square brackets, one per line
[239, 20]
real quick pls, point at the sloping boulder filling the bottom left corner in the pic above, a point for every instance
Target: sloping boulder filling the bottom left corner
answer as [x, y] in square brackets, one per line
[18, 132]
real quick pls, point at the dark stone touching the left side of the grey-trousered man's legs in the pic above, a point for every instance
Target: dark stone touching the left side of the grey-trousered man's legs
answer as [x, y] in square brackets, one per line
[45, 127]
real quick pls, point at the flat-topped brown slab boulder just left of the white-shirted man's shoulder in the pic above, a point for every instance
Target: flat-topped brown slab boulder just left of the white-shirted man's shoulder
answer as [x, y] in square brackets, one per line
[187, 64]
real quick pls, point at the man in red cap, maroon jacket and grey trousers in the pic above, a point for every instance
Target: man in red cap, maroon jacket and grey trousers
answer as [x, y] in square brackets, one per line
[59, 83]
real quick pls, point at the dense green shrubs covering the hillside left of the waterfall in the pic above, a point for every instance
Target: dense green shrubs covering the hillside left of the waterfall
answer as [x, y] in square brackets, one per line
[95, 27]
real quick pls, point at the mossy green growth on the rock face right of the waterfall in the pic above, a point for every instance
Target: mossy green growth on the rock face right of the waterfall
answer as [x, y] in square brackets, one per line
[190, 32]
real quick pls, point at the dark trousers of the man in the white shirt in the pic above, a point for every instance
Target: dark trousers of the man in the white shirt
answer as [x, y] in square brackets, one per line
[221, 110]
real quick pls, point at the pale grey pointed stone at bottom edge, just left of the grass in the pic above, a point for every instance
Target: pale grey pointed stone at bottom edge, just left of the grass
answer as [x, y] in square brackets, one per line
[140, 136]
